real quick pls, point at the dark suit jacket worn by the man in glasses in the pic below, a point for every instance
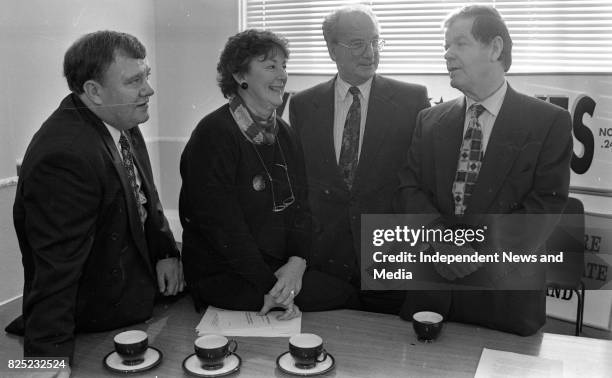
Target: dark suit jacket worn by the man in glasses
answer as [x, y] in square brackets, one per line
[392, 110]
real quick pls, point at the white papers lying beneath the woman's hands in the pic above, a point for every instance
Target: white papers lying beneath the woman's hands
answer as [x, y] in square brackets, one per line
[246, 323]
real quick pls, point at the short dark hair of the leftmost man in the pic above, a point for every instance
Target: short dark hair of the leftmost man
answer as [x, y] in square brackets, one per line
[90, 56]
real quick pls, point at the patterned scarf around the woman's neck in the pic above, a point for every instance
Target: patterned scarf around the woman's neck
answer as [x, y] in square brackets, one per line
[255, 129]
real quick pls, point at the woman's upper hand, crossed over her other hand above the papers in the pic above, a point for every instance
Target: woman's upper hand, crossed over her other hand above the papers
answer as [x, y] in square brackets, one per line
[289, 281]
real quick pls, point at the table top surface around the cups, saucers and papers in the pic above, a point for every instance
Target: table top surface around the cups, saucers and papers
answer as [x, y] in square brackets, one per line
[363, 344]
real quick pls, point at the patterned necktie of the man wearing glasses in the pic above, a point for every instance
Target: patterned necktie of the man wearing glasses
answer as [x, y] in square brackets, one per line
[350, 139]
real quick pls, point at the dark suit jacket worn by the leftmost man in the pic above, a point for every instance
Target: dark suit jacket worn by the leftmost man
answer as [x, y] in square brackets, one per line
[88, 263]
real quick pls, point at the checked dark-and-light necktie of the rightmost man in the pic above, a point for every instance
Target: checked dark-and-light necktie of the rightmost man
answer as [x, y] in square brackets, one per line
[470, 160]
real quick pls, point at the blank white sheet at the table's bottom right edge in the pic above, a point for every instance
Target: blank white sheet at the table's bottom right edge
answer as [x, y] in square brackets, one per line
[500, 364]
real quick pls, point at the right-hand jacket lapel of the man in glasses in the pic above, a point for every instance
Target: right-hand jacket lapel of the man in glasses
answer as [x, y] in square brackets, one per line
[376, 127]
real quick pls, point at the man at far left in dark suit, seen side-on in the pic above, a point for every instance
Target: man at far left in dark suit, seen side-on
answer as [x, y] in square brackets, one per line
[95, 243]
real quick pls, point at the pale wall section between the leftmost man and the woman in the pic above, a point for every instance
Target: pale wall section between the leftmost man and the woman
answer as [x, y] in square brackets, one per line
[190, 36]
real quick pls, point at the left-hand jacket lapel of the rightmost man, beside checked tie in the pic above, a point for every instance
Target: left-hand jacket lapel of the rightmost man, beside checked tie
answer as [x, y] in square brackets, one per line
[448, 135]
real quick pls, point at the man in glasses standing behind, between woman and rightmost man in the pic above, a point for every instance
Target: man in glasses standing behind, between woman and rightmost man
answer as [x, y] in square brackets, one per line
[354, 130]
